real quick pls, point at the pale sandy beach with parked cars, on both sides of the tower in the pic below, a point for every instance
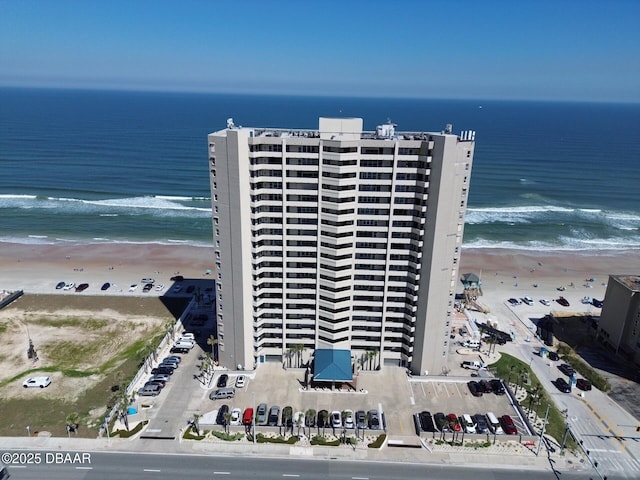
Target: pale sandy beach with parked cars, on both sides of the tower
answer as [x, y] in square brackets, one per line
[505, 273]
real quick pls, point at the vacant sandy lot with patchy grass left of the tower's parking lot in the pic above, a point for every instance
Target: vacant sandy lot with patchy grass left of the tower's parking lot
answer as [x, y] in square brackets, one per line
[80, 342]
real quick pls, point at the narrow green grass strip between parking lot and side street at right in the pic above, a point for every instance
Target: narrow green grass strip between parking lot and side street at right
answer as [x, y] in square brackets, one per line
[509, 367]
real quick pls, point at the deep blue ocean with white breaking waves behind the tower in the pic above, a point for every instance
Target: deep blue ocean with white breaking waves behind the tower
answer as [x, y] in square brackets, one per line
[108, 166]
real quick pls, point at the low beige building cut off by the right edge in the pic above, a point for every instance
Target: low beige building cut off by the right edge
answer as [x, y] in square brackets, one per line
[619, 325]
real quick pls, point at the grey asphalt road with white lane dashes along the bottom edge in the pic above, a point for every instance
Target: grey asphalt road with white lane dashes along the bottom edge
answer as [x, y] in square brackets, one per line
[108, 466]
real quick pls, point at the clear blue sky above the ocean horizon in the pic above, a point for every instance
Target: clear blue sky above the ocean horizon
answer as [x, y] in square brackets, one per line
[481, 49]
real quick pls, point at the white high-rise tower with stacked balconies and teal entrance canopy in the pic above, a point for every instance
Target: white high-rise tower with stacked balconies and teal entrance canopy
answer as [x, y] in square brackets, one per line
[337, 241]
